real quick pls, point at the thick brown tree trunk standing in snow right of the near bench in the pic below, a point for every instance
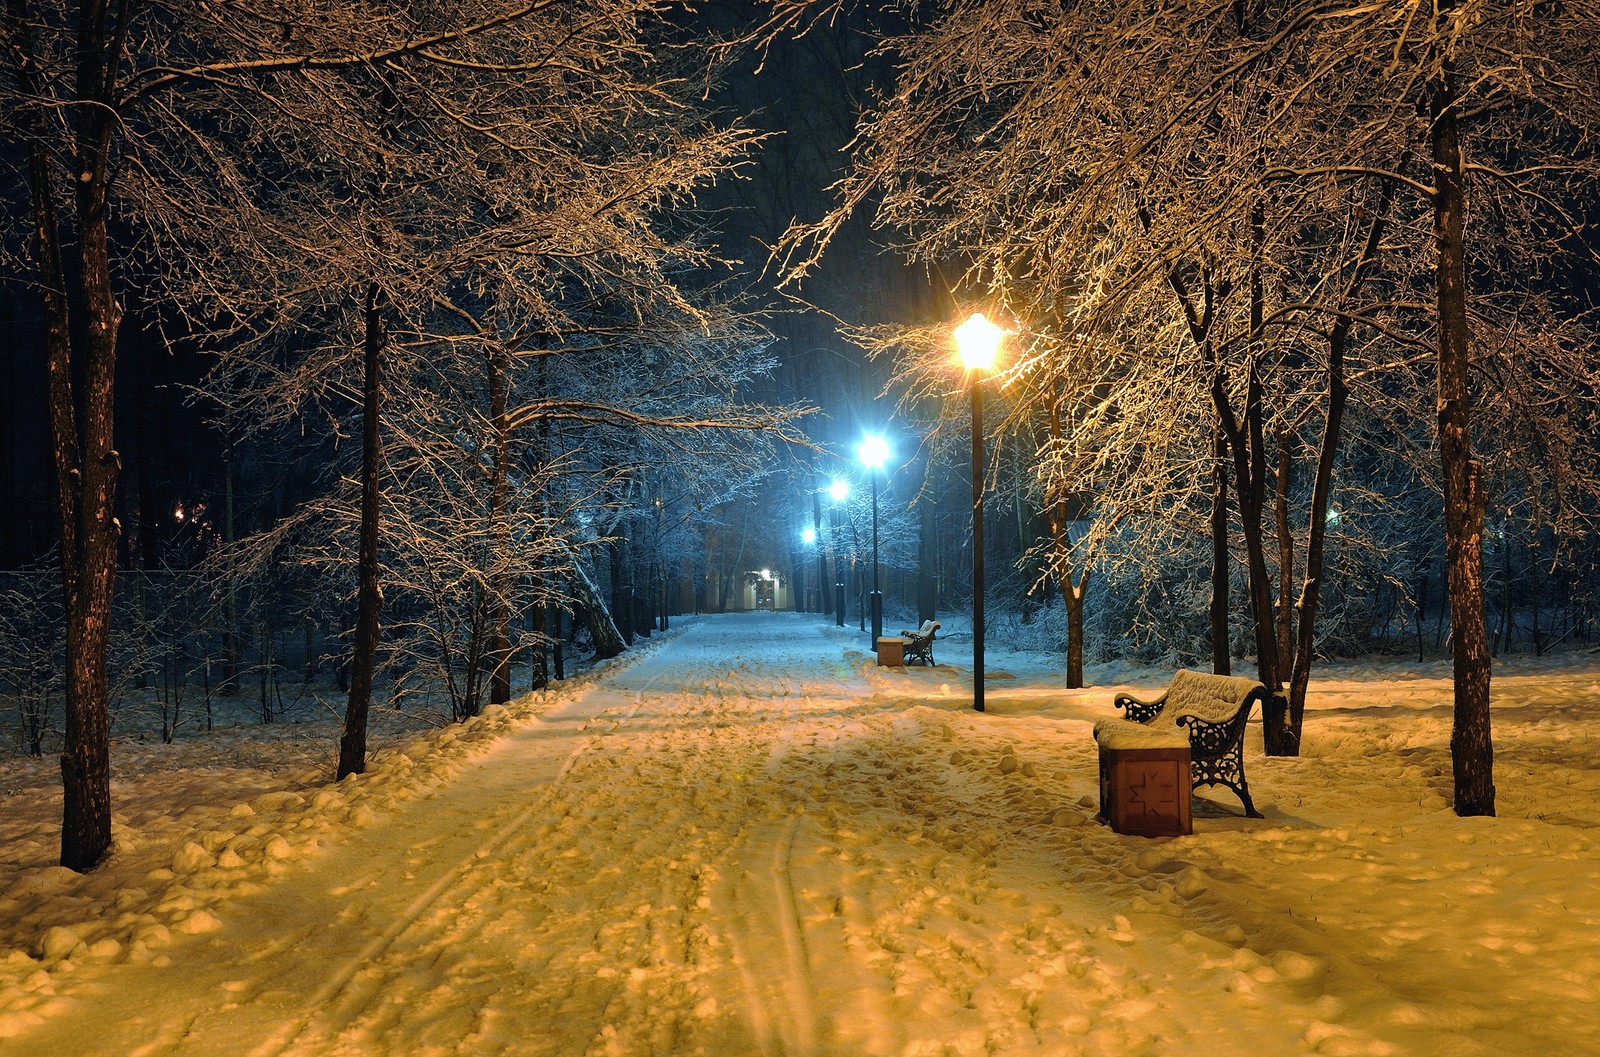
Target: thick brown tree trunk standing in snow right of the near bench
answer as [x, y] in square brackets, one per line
[1471, 744]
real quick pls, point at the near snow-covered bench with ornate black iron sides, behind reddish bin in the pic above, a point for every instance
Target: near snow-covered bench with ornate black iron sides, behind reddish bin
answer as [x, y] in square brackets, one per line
[1214, 711]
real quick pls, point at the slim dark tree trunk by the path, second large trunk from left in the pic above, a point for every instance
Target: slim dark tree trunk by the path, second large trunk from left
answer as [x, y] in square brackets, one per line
[369, 594]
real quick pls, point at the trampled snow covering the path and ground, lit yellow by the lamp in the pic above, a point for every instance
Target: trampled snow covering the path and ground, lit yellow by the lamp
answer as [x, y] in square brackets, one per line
[746, 839]
